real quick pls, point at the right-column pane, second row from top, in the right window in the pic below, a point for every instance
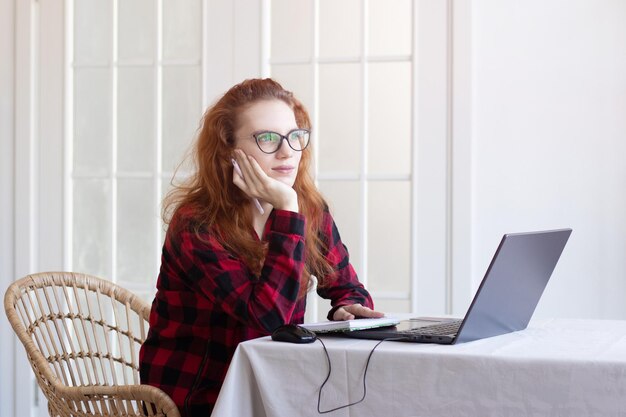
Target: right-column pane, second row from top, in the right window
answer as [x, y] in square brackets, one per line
[389, 138]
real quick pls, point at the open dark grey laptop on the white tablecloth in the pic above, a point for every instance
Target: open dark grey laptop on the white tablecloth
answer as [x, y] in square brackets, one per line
[505, 301]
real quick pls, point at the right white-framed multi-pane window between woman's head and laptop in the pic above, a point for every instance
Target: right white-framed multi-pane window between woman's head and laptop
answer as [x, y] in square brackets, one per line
[351, 64]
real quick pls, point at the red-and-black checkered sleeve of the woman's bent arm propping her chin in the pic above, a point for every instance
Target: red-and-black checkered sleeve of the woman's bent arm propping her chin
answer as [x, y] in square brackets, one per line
[260, 302]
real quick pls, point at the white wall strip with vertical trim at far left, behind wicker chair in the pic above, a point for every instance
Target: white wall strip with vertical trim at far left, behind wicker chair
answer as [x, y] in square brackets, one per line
[31, 158]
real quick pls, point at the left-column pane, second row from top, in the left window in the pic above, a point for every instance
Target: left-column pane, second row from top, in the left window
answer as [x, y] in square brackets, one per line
[92, 121]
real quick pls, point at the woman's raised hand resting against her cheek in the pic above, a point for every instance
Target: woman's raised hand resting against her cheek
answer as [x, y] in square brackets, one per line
[256, 183]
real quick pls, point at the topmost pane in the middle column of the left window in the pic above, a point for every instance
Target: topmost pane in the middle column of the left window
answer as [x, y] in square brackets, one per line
[137, 30]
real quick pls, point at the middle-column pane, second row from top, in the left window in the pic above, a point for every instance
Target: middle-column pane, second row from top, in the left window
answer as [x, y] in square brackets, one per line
[136, 119]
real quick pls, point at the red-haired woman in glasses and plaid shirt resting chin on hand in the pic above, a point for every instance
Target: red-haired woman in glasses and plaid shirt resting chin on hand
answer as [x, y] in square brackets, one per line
[246, 233]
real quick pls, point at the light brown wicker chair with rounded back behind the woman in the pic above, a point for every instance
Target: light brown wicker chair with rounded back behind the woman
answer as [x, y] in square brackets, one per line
[82, 336]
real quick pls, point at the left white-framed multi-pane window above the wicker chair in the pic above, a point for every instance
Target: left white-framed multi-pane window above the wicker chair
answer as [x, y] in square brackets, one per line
[135, 71]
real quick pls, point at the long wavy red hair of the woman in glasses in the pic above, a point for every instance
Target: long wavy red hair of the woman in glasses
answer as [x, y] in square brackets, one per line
[210, 200]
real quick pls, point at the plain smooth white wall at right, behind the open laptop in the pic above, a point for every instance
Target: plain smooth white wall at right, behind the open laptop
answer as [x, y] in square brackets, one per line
[549, 142]
